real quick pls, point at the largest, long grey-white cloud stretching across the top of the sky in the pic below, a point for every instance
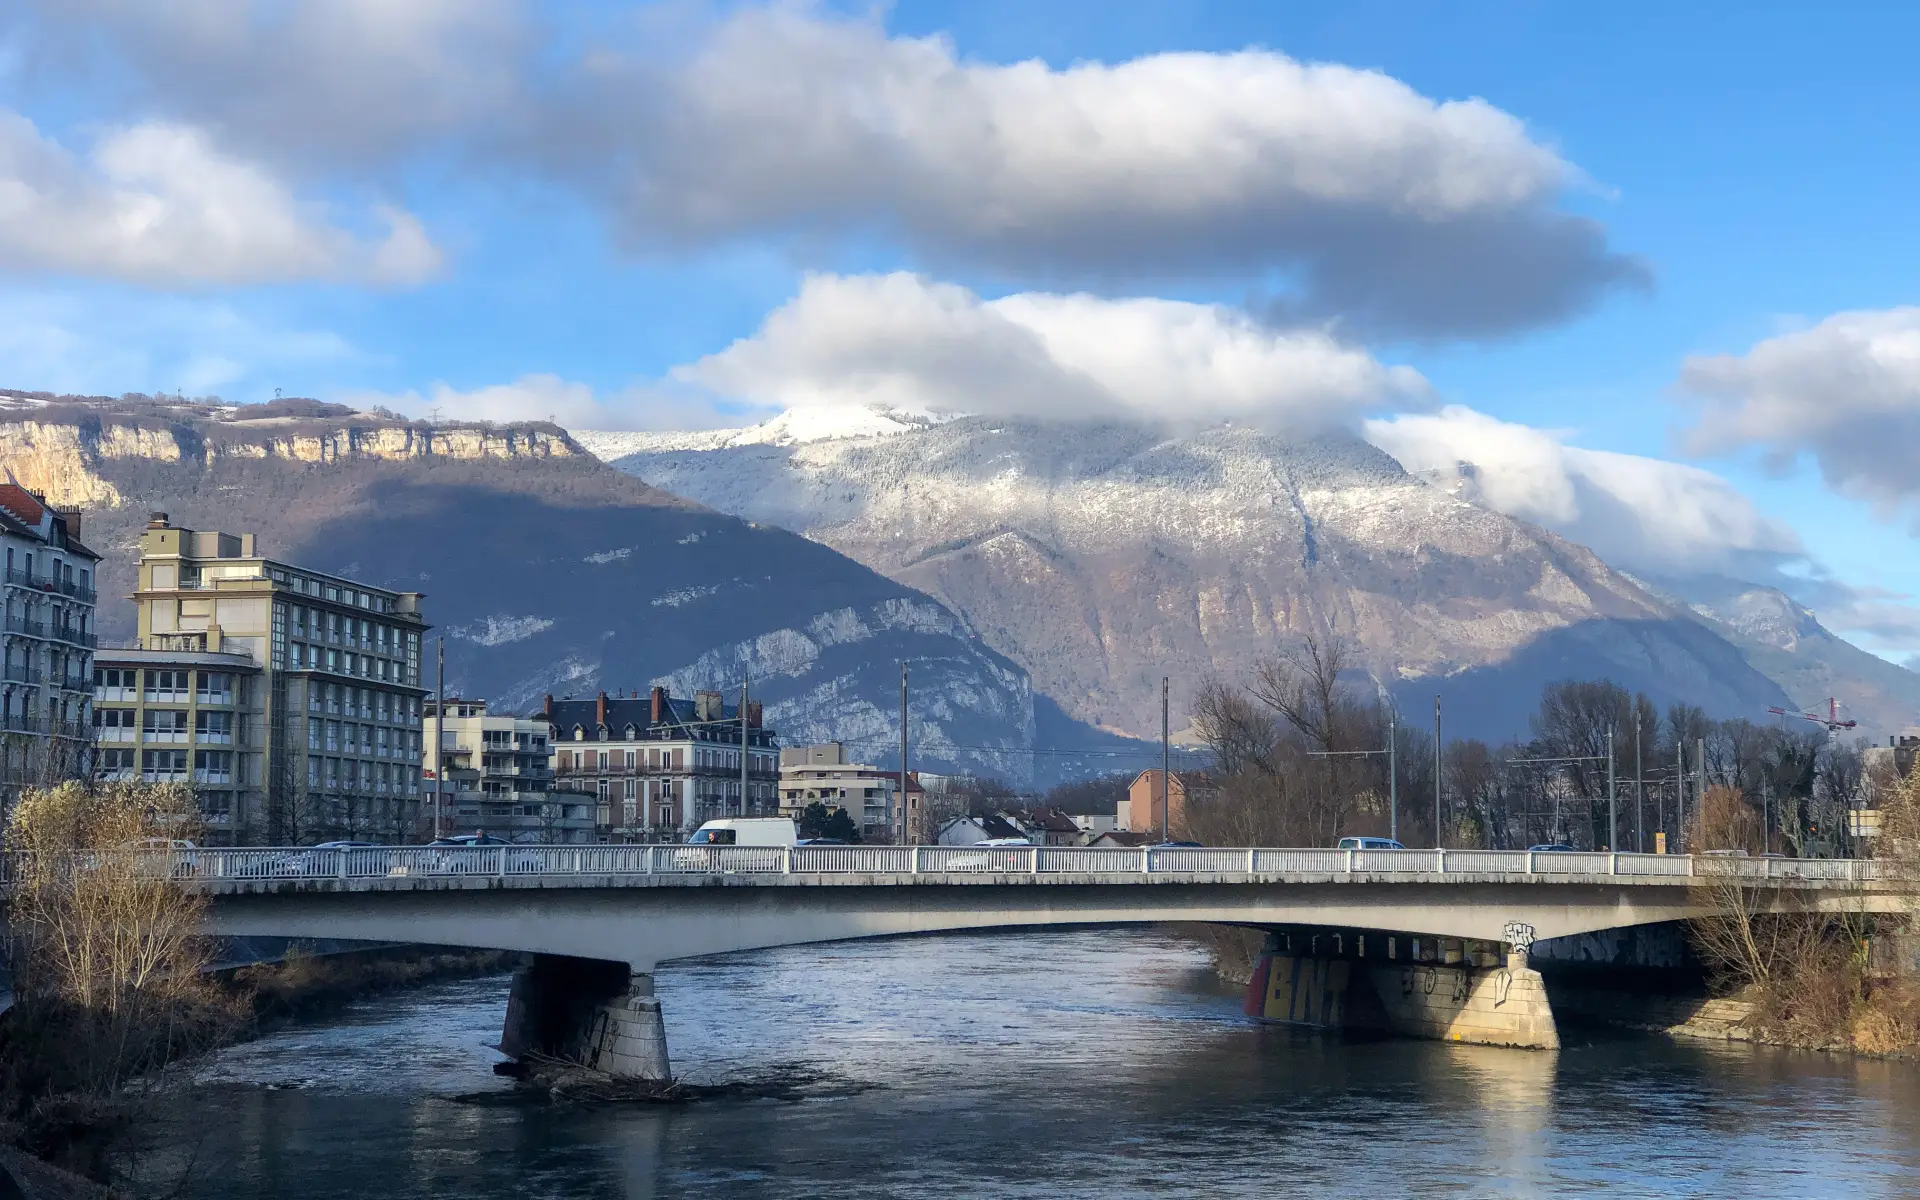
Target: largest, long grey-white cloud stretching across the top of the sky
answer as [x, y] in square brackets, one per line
[1378, 206]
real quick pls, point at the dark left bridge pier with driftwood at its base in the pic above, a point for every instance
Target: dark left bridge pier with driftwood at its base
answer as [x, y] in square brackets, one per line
[588, 1013]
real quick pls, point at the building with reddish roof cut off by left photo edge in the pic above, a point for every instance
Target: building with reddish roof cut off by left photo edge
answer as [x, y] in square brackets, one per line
[47, 665]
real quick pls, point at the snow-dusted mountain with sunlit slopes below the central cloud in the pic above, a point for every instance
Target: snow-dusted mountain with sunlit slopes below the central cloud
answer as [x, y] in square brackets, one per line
[1103, 558]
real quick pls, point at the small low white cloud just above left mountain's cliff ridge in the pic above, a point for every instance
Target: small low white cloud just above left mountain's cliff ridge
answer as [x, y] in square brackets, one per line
[567, 404]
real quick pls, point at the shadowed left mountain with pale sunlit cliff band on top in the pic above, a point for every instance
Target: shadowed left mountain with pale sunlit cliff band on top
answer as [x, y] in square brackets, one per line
[548, 571]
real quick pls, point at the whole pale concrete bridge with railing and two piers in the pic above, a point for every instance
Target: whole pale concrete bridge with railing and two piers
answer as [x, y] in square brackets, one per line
[602, 919]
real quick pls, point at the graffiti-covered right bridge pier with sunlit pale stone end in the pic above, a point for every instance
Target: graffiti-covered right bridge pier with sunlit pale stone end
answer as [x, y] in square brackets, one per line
[1435, 988]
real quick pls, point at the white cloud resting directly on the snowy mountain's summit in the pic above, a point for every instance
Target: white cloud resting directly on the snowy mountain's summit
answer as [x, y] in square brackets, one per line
[901, 341]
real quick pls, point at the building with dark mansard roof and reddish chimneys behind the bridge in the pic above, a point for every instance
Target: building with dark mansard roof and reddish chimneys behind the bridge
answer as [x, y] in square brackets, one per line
[660, 767]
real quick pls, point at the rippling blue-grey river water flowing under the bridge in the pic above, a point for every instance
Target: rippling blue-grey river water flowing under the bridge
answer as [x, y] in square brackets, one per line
[1030, 1065]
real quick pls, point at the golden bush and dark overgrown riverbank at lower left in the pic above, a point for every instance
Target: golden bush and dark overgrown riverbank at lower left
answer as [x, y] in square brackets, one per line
[112, 990]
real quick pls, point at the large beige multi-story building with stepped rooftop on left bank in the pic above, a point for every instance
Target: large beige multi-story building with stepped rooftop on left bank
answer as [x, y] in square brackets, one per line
[324, 723]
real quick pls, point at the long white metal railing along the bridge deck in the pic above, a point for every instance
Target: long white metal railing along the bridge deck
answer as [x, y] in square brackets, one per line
[1093, 863]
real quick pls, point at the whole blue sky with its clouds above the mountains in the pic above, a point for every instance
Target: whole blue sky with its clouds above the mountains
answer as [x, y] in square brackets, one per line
[1646, 268]
